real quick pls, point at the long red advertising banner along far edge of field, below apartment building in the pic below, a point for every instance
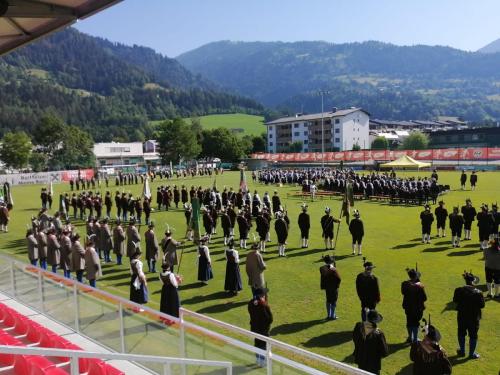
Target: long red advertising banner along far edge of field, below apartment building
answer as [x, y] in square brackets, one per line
[474, 153]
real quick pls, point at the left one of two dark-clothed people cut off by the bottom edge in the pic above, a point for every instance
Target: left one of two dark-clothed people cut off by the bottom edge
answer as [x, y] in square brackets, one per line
[370, 345]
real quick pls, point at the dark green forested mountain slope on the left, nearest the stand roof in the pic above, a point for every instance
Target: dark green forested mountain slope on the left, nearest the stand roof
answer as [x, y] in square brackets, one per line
[108, 89]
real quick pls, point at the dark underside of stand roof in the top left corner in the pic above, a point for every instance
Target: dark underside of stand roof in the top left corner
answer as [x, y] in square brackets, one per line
[23, 21]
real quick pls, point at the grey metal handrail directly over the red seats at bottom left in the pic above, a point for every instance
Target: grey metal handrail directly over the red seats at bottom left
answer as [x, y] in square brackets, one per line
[75, 355]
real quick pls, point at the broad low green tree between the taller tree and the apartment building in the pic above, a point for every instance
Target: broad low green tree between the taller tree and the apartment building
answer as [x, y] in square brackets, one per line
[223, 144]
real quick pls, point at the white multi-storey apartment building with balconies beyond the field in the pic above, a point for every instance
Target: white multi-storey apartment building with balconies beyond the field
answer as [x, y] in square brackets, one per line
[343, 129]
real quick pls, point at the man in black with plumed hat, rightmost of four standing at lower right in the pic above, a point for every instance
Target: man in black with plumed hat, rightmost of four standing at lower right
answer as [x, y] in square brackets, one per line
[469, 301]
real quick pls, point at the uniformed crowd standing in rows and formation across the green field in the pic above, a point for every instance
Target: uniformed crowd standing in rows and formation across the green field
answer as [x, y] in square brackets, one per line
[52, 243]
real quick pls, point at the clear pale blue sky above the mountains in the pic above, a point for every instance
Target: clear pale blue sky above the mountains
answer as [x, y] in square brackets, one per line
[175, 26]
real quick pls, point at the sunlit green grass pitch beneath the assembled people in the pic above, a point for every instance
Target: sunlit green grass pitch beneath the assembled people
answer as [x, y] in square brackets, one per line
[392, 242]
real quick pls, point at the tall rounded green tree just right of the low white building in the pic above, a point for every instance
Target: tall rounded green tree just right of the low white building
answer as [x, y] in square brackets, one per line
[175, 140]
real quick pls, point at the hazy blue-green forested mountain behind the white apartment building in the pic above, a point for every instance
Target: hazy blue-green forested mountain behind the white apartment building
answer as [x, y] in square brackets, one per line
[389, 81]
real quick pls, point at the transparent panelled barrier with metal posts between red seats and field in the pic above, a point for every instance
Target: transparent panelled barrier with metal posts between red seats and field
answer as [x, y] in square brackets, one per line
[131, 329]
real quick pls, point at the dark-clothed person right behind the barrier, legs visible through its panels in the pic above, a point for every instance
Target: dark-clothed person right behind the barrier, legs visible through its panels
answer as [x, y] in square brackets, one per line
[261, 319]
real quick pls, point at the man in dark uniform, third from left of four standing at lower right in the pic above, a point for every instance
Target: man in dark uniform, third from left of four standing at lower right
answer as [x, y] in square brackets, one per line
[414, 298]
